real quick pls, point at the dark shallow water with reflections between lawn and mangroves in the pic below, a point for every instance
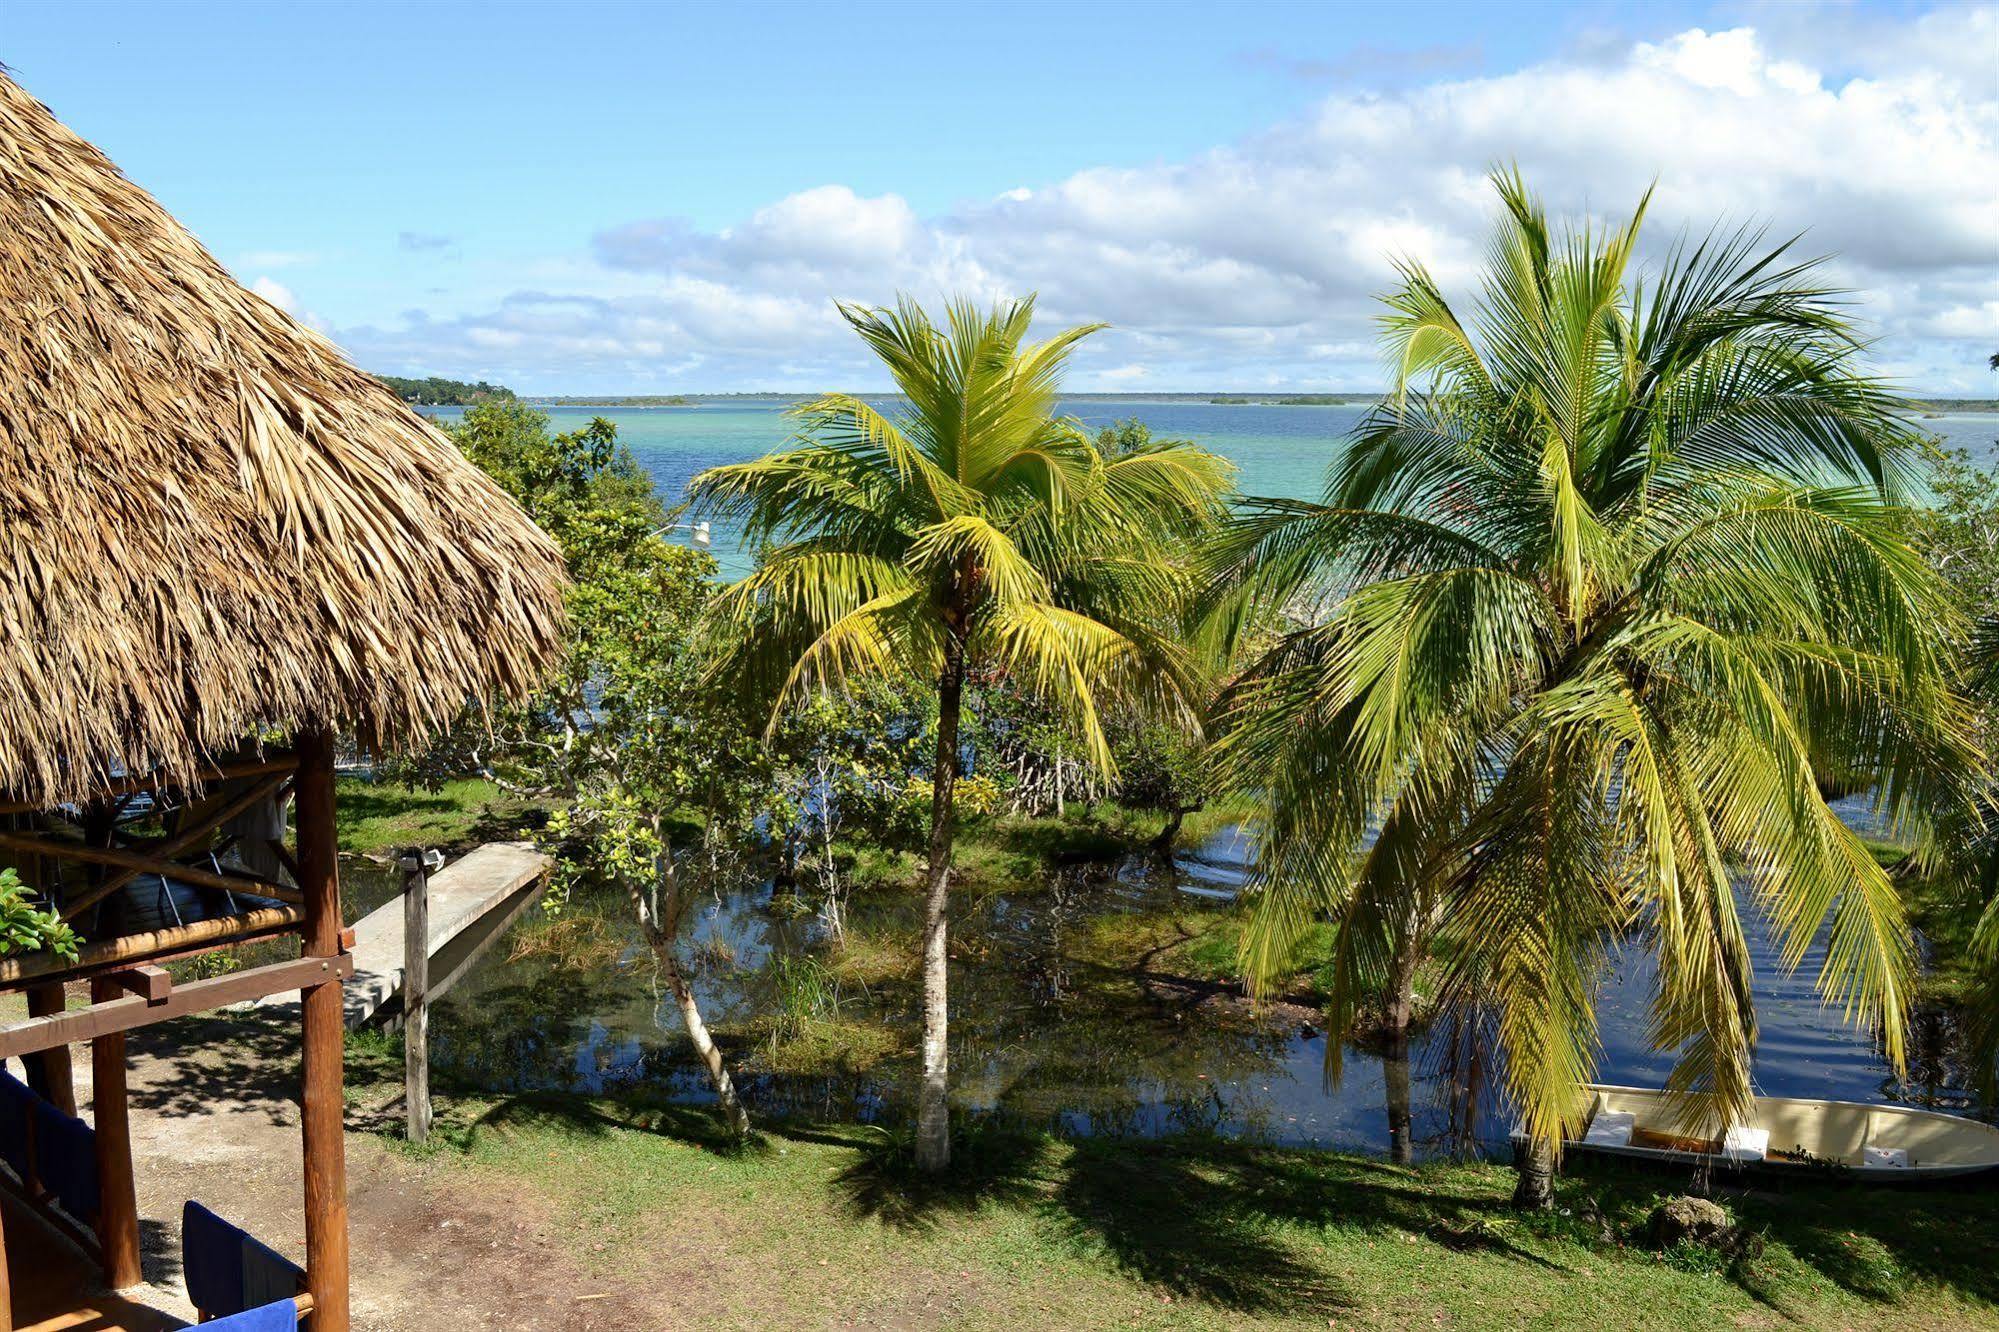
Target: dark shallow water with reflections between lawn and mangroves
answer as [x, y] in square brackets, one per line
[1042, 1035]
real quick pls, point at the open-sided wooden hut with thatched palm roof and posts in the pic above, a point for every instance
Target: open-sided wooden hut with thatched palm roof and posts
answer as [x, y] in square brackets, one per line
[221, 547]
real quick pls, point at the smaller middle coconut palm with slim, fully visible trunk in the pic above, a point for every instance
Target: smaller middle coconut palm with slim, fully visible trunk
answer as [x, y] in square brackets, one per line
[967, 529]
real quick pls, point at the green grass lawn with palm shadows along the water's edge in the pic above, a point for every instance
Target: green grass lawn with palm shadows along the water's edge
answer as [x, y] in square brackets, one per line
[825, 1225]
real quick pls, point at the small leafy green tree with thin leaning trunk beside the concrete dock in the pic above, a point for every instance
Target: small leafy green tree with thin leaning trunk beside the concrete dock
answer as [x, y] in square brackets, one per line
[655, 767]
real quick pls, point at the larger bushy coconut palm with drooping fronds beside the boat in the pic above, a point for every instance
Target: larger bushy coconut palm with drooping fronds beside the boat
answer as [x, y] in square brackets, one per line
[1598, 607]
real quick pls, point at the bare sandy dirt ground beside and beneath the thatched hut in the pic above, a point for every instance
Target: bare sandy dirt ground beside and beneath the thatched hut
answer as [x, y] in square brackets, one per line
[433, 1245]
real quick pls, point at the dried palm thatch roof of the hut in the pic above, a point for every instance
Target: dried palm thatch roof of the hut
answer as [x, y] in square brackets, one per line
[211, 523]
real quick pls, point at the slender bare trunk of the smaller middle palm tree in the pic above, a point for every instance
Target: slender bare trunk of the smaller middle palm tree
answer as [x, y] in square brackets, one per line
[933, 1103]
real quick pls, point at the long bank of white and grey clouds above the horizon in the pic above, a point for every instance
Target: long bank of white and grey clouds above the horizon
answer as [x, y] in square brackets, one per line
[1256, 263]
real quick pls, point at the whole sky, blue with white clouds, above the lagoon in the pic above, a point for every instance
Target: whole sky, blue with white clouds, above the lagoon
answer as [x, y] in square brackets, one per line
[597, 199]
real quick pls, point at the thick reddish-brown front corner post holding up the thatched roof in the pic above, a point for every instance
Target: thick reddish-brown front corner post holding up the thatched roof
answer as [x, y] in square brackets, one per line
[325, 1035]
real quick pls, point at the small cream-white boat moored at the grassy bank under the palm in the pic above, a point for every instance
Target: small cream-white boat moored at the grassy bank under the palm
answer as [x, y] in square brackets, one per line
[1888, 1145]
